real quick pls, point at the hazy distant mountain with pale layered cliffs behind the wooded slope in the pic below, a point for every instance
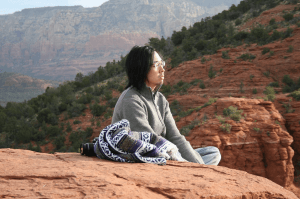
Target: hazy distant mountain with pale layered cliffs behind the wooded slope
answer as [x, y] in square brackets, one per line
[56, 43]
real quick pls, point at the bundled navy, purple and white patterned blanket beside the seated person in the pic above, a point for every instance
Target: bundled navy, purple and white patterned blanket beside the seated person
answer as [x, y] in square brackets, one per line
[124, 147]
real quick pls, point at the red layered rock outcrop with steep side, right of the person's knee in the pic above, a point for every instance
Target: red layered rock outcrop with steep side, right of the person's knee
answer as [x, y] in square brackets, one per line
[258, 144]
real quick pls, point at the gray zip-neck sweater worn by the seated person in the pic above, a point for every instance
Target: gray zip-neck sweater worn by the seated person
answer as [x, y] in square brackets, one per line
[149, 111]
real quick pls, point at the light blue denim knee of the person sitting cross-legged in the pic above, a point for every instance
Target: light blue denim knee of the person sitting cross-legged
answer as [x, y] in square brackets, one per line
[210, 155]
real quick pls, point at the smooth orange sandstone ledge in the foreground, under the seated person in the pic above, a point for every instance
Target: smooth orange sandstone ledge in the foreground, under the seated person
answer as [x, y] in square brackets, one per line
[27, 174]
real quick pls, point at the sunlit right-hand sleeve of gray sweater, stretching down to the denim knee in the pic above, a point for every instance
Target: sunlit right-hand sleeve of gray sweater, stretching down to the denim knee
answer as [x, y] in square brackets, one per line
[173, 135]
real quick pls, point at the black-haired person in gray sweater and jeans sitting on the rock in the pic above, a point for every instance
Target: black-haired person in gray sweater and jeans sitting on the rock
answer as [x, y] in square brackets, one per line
[148, 110]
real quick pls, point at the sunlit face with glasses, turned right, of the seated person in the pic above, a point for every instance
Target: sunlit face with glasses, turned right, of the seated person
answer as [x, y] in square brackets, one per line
[155, 76]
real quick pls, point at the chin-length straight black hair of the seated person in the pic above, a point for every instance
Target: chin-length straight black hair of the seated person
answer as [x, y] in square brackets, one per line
[138, 64]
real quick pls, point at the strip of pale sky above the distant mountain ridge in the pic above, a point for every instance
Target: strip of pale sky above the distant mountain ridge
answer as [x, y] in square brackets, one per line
[11, 6]
